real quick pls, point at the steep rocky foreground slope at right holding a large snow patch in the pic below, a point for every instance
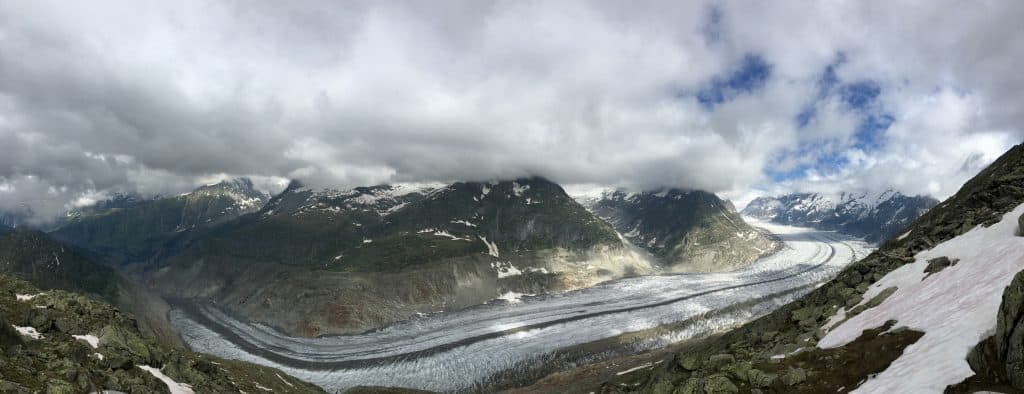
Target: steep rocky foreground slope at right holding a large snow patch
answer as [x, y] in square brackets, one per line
[858, 330]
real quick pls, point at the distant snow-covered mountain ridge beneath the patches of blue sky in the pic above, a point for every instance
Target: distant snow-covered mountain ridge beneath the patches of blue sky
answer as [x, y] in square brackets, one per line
[874, 217]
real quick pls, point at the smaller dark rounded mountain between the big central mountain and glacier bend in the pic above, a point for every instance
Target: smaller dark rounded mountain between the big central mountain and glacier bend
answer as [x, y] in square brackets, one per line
[690, 231]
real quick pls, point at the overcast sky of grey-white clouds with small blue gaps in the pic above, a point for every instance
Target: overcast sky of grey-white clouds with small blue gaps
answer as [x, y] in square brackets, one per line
[735, 98]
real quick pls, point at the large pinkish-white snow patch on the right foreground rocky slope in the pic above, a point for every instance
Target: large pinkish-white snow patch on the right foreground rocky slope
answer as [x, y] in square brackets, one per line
[956, 309]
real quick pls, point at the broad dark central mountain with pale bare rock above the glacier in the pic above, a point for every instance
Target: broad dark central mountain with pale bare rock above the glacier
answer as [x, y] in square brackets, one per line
[316, 262]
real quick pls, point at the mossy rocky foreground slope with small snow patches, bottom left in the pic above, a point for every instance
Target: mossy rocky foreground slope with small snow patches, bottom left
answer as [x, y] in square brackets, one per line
[62, 342]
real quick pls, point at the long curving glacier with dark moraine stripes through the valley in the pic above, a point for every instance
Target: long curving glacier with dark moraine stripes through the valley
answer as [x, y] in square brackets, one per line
[457, 351]
